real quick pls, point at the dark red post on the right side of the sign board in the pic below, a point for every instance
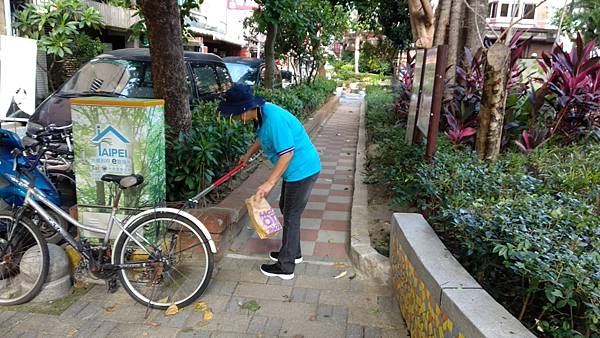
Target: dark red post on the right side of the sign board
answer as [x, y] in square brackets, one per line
[436, 104]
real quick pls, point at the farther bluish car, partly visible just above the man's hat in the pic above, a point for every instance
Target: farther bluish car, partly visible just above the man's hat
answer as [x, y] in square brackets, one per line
[249, 71]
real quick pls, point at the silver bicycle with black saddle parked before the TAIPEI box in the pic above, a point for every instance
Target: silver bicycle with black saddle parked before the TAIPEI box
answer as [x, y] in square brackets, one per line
[162, 256]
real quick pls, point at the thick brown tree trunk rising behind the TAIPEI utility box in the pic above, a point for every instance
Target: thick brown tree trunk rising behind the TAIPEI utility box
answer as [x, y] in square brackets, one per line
[168, 66]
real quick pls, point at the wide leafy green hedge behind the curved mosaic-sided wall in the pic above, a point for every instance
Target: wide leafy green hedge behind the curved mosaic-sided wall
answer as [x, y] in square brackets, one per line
[525, 226]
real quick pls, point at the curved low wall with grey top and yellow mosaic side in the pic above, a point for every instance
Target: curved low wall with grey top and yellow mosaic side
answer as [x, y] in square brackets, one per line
[437, 296]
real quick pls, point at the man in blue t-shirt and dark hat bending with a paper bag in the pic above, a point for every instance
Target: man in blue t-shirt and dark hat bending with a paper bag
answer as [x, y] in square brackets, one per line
[284, 141]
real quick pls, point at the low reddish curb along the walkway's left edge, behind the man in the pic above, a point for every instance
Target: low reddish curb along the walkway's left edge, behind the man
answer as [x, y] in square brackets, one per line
[223, 220]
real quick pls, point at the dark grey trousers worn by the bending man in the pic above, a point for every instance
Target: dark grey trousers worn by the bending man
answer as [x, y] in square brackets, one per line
[293, 200]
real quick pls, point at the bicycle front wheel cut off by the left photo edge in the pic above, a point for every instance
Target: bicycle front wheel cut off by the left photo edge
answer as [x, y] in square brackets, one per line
[23, 260]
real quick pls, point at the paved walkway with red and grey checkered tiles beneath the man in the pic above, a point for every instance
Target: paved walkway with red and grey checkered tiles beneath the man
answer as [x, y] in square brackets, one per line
[314, 304]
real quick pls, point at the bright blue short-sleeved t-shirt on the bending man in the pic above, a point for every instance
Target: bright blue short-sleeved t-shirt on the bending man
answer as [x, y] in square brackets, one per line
[281, 133]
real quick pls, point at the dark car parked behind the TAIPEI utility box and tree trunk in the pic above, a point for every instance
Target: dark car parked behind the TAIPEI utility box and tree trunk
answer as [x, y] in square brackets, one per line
[128, 73]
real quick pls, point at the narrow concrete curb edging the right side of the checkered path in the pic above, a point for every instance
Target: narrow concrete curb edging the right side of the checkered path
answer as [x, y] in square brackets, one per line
[362, 254]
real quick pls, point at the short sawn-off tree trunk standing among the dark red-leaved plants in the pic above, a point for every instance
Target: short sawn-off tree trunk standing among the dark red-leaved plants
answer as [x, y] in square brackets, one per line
[491, 116]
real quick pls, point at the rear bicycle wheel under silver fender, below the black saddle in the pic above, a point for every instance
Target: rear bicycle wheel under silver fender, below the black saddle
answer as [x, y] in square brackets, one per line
[178, 260]
